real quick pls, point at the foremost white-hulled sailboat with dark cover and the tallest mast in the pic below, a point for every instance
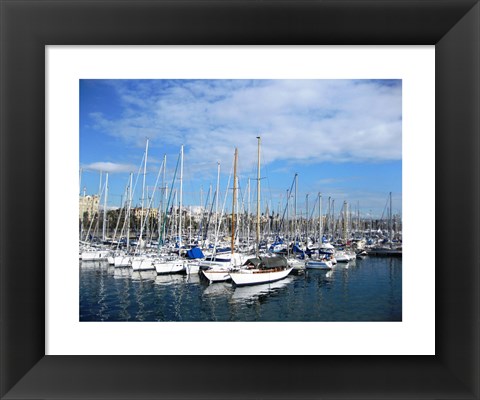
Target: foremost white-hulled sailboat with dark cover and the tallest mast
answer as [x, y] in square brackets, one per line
[260, 269]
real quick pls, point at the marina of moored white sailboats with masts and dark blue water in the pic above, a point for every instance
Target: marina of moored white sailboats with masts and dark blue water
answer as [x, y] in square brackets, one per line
[284, 274]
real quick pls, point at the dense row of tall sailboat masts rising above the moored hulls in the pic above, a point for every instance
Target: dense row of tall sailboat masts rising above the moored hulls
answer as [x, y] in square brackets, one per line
[297, 226]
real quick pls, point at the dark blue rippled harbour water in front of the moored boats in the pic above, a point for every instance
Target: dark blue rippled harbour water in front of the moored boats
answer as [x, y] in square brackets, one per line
[368, 289]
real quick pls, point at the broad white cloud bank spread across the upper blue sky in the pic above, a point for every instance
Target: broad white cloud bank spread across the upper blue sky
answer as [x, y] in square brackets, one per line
[299, 120]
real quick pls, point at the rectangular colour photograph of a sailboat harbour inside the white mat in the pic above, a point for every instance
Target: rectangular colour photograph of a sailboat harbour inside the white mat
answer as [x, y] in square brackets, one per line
[238, 200]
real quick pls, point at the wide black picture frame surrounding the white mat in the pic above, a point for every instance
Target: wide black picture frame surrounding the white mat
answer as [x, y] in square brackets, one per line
[453, 26]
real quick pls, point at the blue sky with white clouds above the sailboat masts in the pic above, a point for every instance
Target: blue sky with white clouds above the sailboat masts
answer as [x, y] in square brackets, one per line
[343, 139]
